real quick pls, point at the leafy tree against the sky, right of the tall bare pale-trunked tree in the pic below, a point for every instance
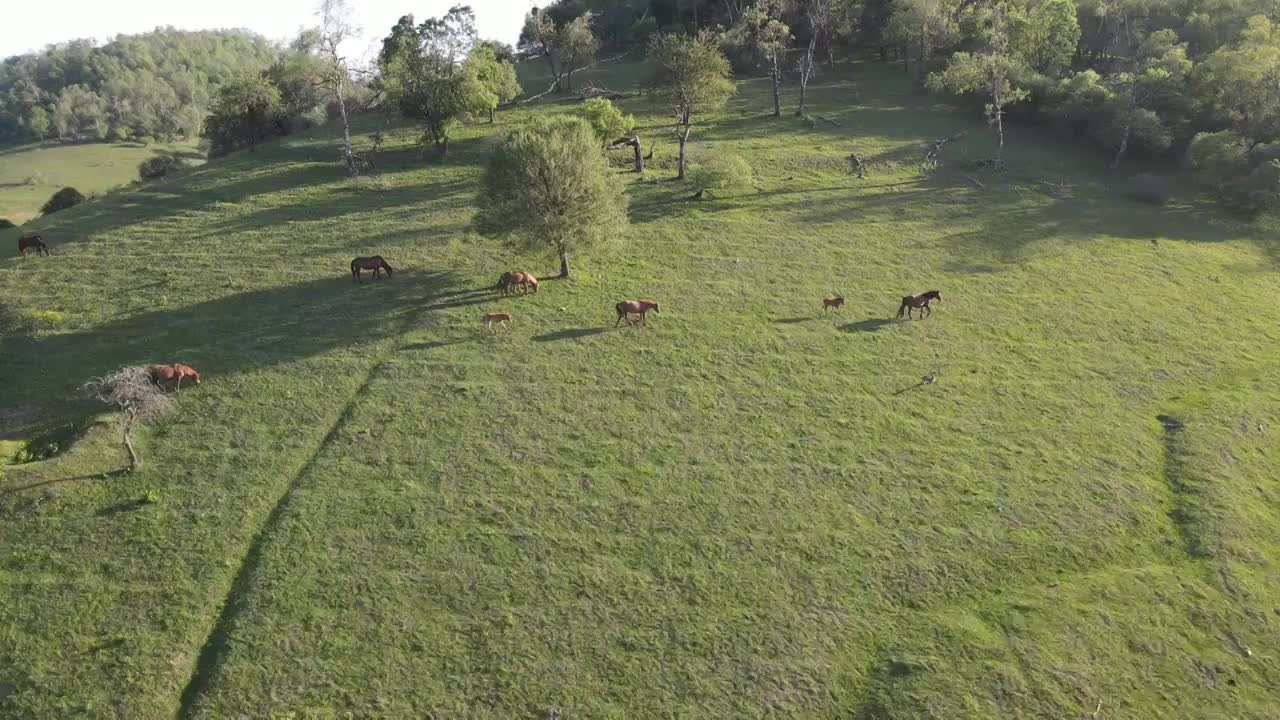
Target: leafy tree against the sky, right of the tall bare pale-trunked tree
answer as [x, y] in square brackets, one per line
[426, 75]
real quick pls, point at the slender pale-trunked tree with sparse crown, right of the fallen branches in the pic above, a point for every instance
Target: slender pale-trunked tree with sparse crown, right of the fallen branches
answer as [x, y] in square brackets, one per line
[989, 74]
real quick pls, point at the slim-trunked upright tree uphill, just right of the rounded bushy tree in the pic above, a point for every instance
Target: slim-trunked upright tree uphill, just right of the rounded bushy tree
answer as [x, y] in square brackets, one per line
[692, 78]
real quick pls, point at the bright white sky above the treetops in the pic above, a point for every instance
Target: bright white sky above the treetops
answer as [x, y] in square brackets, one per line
[31, 25]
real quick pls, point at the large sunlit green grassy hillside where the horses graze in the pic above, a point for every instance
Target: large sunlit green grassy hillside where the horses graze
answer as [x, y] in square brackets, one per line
[373, 509]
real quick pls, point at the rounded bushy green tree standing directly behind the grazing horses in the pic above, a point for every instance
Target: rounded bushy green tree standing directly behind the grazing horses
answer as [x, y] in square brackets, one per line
[548, 184]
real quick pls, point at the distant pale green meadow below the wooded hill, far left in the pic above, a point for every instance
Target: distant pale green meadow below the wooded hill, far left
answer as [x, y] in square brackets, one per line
[31, 174]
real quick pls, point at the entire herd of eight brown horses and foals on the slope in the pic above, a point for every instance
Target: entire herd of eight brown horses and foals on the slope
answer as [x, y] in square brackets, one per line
[633, 312]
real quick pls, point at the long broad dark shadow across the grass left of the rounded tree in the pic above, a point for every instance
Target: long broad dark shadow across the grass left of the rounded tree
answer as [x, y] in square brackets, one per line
[239, 332]
